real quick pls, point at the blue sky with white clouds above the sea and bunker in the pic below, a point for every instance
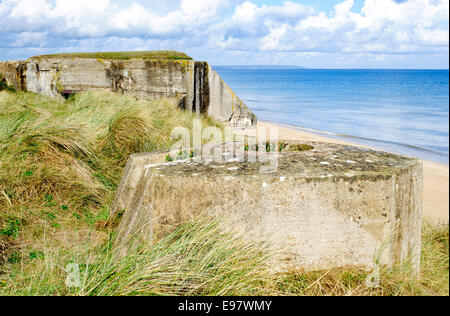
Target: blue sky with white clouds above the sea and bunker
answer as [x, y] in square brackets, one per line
[309, 33]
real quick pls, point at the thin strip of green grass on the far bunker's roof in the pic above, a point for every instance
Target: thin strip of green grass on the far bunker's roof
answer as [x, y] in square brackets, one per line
[161, 54]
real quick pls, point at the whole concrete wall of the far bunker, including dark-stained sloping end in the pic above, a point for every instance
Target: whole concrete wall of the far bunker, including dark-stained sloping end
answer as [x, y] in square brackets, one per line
[199, 88]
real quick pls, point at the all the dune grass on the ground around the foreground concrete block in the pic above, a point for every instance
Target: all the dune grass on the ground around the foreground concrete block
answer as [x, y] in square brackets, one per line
[60, 164]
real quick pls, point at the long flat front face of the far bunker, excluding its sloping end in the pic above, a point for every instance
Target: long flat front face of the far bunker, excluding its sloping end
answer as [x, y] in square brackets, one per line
[142, 78]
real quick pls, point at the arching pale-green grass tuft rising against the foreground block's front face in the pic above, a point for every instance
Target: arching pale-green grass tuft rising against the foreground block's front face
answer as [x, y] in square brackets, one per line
[197, 259]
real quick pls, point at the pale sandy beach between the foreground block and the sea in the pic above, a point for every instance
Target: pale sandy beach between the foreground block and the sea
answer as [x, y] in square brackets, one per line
[436, 181]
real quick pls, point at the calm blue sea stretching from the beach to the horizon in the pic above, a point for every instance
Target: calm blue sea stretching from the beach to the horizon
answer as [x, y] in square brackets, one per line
[403, 111]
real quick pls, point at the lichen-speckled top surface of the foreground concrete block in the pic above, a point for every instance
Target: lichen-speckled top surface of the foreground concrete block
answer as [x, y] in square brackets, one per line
[321, 160]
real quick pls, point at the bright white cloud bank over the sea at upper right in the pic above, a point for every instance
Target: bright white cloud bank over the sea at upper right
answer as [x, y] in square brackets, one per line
[383, 26]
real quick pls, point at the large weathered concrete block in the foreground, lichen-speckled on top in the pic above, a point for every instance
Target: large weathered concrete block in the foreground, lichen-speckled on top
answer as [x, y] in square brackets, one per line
[332, 206]
